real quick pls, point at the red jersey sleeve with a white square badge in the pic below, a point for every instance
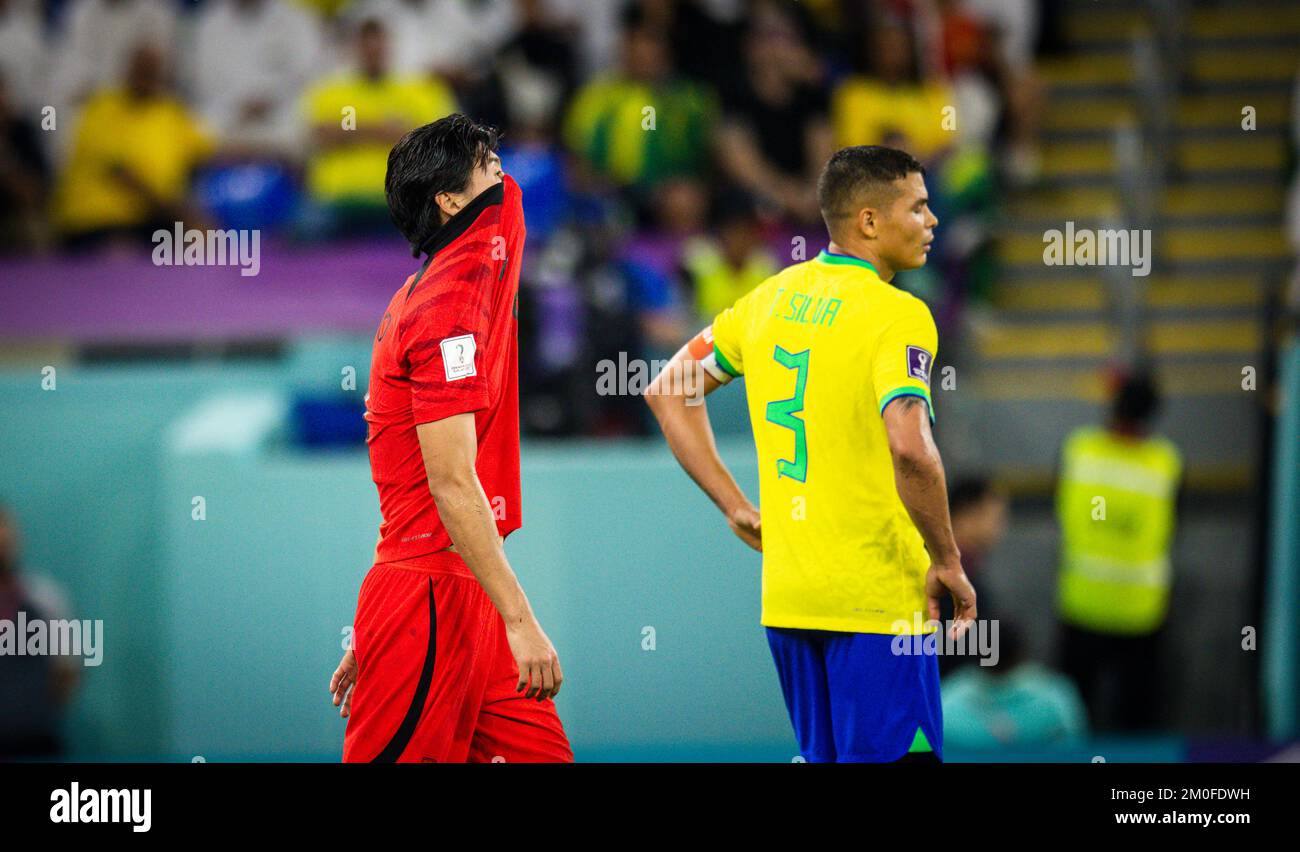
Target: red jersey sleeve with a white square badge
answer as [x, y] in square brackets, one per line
[445, 339]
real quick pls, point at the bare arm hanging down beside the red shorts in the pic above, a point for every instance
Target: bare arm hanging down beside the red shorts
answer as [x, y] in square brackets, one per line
[449, 448]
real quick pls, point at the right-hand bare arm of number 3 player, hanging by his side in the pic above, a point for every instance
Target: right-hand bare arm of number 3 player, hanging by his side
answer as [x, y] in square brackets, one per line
[920, 478]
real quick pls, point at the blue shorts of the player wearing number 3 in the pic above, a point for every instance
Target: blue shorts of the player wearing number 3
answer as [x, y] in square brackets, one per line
[853, 700]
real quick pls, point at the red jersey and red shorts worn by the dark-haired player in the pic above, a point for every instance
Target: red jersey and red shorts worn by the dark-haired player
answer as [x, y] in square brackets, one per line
[436, 674]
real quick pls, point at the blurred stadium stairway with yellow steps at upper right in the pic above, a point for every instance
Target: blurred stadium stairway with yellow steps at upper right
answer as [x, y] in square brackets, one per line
[1038, 358]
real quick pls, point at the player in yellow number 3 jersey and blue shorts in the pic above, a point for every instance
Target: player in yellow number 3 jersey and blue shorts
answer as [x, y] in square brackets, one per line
[855, 530]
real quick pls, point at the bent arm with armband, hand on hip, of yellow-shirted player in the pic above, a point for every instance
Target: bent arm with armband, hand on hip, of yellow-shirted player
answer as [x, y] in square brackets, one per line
[677, 399]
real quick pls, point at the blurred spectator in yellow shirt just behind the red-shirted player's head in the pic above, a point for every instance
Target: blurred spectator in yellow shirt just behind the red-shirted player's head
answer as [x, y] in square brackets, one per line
[356, 119]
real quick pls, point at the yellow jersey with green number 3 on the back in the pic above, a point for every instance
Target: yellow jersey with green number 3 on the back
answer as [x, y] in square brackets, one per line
[825, 347]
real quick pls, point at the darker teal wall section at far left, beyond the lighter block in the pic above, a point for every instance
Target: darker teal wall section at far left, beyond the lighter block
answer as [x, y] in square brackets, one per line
[80, 470]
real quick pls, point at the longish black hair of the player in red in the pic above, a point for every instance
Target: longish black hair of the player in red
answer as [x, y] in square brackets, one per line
[437, 158]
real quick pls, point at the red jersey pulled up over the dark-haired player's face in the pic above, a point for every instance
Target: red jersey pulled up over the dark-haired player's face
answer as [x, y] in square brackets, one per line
[448, 345]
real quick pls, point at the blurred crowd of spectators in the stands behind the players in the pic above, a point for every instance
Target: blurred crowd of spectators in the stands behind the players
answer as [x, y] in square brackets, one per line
[669, 150]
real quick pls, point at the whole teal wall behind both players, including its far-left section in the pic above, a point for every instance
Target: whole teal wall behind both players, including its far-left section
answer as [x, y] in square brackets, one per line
[220, 634]
